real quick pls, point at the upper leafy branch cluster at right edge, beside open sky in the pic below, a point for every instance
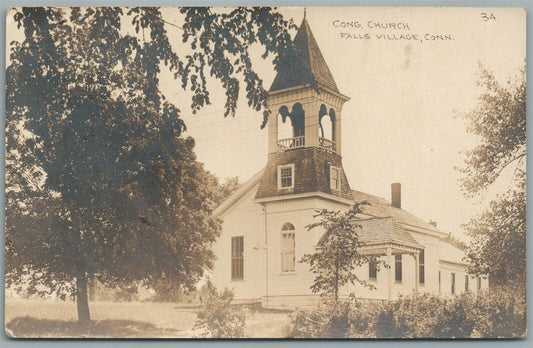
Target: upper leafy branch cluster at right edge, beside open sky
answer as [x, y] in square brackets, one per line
[500, 122]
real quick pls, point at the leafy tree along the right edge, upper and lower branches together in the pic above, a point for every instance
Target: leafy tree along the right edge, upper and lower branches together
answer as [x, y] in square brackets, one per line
[498, 236]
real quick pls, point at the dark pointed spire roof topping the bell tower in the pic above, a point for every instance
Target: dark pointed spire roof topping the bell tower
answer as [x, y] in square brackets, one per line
[304, 66]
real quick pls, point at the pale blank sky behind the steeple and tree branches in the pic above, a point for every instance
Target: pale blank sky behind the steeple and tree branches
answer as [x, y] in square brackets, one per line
[408, 86]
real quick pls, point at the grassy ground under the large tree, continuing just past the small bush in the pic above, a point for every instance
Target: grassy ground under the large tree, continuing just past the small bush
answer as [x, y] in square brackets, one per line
[40, 318]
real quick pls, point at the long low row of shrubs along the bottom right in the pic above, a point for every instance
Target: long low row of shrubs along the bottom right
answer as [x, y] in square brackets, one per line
[485, 315]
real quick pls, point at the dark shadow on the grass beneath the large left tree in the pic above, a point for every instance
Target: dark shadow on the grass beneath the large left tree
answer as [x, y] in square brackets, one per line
[28, 327]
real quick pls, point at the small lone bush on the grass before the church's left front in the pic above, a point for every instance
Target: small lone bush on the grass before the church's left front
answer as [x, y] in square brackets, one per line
[217, 318]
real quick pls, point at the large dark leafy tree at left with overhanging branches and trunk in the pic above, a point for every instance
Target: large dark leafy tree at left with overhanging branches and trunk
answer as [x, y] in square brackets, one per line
[100, 181]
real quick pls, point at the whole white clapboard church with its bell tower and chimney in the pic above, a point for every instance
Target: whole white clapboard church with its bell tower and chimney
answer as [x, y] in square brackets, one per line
[264, 231]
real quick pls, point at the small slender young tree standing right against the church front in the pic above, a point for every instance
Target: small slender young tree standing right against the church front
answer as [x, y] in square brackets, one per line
[337, 254]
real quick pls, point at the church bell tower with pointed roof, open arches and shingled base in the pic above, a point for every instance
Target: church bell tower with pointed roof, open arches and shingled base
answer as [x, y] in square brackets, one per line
[304, 128]
